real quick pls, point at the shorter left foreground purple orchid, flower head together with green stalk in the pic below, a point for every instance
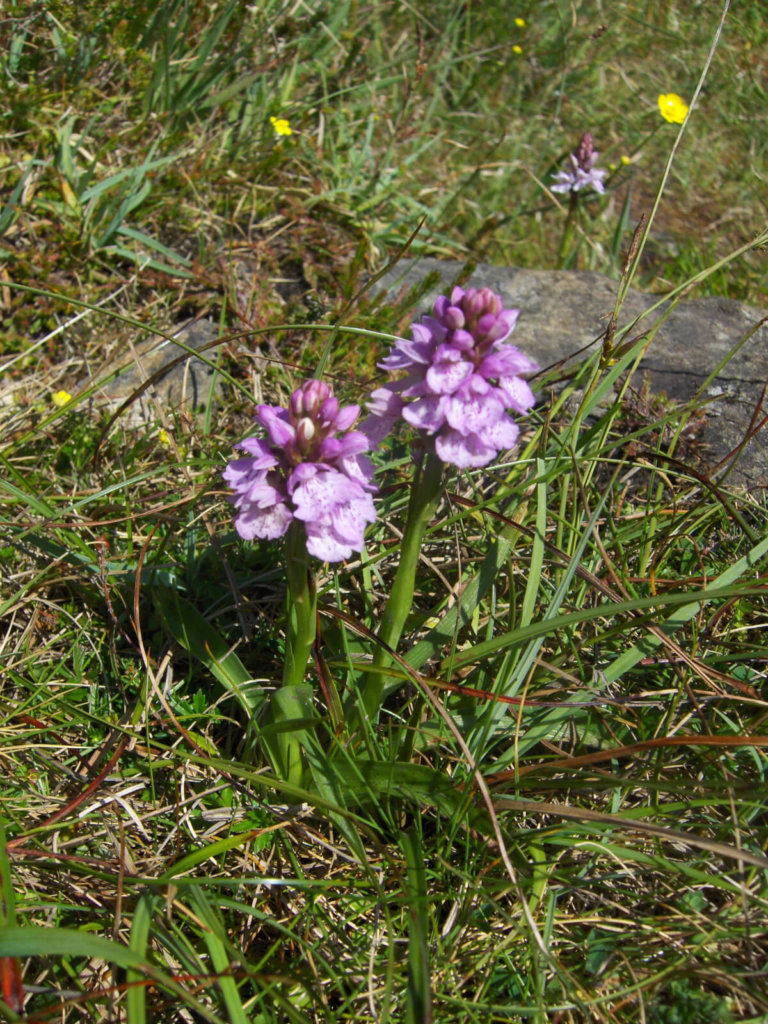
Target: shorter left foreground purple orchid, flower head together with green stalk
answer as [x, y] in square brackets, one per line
[309, 481]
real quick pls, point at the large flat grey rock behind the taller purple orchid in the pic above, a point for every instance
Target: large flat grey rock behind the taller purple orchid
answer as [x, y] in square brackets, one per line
[564, 317]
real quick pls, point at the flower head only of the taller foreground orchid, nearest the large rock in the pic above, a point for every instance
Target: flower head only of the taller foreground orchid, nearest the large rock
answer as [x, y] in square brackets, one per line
[460, 380]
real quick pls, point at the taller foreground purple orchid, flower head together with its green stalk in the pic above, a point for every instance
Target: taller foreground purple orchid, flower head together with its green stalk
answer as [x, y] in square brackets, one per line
[461, 378]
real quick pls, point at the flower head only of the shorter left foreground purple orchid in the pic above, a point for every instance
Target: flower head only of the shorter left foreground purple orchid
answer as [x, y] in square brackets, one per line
[310, 467]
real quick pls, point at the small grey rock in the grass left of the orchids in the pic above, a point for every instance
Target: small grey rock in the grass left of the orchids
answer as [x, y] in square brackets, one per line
[166, 374]
